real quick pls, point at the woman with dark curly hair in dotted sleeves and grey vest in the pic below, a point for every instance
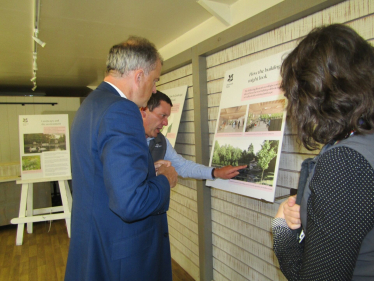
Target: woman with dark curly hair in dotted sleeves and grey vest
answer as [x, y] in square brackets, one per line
[329, 83]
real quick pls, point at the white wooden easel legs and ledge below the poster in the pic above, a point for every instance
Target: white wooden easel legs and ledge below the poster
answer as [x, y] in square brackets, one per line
[27, 214]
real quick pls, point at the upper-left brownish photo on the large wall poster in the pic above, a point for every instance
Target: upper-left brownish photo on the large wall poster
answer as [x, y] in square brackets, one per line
[231, 119]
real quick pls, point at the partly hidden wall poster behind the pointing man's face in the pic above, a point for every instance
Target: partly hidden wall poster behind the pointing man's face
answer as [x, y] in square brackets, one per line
[177, 97]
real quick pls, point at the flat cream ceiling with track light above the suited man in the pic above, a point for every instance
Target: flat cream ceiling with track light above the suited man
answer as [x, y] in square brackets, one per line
[78, 35]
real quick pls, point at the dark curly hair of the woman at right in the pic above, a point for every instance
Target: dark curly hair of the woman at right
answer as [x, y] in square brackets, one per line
[329, 83]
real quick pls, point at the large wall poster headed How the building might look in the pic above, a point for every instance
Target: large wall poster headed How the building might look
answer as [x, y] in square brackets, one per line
[249, 129]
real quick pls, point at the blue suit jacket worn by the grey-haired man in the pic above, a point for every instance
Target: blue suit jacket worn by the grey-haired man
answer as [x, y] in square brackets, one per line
[119, 227]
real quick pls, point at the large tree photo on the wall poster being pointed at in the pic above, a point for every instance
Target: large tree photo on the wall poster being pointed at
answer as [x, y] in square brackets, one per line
[258, 154]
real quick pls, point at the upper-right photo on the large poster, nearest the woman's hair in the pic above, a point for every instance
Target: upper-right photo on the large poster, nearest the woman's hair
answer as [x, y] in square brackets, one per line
[265, 116]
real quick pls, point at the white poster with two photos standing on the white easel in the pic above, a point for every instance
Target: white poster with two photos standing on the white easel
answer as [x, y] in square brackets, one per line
[44, 146]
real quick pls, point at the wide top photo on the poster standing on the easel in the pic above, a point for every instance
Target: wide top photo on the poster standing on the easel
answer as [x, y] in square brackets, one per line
[37, 143]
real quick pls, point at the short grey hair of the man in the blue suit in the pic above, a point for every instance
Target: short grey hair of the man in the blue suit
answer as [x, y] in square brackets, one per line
[135, 53]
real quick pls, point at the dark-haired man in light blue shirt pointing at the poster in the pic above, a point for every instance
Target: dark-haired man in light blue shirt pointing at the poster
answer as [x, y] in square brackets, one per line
[155, 117]
